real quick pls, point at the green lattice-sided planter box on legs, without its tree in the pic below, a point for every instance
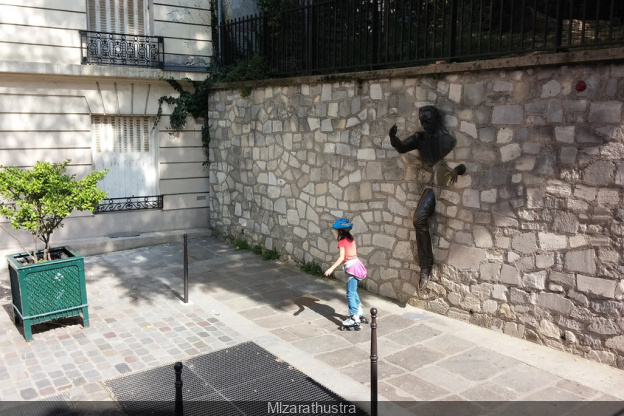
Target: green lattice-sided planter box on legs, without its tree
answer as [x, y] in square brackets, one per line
[50, 290]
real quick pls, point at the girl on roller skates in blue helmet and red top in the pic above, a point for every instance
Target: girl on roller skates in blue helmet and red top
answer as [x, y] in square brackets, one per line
[354, 270]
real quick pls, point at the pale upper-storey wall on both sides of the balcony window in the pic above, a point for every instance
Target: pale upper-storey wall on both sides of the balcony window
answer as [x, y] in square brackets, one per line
[48, 31]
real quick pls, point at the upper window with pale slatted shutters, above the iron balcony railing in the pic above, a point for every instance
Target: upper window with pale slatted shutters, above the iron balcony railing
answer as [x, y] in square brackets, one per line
[119, 16]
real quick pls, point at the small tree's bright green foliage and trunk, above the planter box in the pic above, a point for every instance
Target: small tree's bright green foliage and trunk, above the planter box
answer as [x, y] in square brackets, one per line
[39, 199]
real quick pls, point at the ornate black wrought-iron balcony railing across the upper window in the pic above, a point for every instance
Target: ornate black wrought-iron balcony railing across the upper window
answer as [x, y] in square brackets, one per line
[104, 48]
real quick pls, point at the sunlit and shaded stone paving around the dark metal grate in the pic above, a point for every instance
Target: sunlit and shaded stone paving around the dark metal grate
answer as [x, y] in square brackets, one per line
[138, 321]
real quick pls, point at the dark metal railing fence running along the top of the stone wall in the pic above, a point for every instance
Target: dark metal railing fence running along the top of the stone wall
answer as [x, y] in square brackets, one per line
[340, 35]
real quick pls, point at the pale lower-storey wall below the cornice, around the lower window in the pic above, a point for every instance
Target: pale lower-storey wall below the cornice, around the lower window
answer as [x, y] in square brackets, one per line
[50, 120]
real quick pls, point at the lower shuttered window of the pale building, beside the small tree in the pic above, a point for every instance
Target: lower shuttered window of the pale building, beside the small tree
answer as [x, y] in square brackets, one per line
[125, 146]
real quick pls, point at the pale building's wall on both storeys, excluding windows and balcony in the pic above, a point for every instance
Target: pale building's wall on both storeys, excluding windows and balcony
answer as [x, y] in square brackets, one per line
[47, 100]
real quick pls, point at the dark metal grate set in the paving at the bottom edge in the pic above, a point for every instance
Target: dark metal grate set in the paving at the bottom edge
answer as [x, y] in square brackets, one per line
[241, 380]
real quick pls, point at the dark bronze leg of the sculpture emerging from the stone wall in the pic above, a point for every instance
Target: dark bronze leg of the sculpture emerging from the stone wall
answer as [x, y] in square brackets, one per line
[426, 207]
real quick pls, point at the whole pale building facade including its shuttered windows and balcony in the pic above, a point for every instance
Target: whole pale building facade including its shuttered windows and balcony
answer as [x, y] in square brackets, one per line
[81, 80]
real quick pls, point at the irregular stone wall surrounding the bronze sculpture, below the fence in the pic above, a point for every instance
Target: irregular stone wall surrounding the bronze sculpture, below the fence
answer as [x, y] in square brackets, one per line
[527, 242]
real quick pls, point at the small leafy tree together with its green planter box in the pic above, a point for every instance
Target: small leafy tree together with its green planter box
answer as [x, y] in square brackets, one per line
[49, 283]
